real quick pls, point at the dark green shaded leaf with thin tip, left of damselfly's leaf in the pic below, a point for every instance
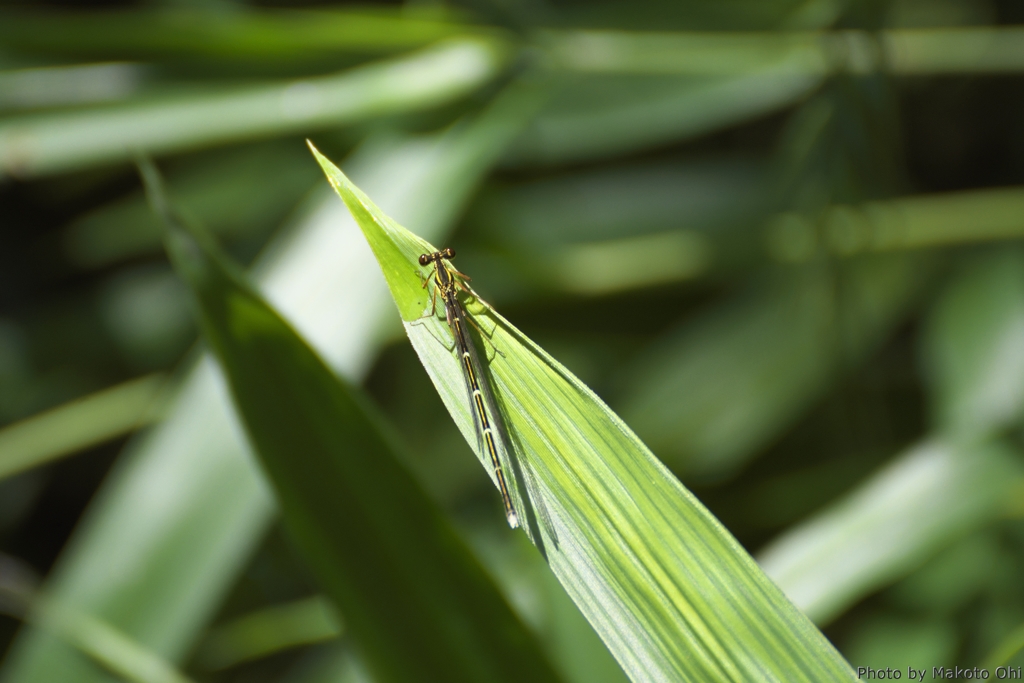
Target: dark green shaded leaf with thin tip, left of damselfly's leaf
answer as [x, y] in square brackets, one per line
[382, 550]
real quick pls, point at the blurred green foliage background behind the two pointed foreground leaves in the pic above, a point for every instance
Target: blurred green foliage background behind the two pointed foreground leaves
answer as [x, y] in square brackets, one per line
[781, 238]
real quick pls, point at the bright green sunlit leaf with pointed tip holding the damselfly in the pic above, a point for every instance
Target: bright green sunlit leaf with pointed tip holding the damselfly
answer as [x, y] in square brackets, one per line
[670, 591]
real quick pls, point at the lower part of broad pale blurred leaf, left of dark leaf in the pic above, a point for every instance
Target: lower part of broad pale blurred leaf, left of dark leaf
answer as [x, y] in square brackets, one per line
[177, 552]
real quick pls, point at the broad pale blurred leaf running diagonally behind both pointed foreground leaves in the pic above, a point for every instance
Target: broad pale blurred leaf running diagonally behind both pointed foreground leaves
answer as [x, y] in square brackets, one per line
[180, 552]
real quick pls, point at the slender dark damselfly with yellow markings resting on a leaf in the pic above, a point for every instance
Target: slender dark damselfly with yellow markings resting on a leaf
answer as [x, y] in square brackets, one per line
[486, 416]
